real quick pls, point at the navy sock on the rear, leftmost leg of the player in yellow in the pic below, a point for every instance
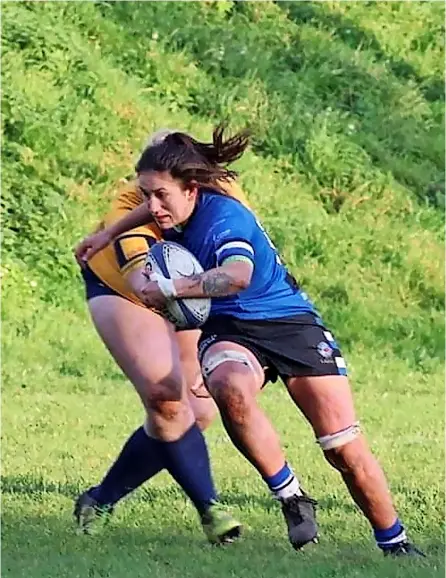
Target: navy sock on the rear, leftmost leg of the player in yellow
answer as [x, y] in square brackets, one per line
[140, 459]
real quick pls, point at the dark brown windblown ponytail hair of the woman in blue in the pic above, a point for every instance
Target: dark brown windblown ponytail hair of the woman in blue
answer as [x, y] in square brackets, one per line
[190, 160]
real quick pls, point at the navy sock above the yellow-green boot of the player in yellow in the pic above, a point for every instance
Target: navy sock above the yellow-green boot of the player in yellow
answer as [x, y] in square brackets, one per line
[187, 460]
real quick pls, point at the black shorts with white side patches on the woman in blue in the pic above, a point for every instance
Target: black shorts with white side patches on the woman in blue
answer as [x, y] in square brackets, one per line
[295, 346]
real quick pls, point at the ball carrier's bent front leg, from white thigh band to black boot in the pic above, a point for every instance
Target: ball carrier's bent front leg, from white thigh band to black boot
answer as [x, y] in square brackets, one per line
[234, 376]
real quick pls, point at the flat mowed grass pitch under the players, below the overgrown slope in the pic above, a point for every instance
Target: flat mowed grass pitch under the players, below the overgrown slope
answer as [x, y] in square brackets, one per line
[67, 410]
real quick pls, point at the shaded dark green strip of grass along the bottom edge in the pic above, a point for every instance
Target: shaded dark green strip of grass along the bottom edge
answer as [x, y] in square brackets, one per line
[45, 544]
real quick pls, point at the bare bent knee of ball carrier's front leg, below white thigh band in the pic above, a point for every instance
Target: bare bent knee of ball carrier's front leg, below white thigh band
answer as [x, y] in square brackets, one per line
[232, 397]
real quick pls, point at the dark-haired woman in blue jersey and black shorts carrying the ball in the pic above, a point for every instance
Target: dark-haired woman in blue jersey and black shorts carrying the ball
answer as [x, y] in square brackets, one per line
[262, 325]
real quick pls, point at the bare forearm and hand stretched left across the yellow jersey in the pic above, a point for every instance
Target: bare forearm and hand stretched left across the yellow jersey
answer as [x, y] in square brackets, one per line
[92, 244]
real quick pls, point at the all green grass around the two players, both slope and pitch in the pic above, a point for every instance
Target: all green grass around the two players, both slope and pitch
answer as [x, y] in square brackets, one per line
[346, 101]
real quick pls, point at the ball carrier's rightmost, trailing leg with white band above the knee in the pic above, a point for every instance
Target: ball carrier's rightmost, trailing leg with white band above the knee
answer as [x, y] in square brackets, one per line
[327, 403]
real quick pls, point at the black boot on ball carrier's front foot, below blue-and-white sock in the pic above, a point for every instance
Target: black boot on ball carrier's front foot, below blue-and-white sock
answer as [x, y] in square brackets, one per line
[300, 515]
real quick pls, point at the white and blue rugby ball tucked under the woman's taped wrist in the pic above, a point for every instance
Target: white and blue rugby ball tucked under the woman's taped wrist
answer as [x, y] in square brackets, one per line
[174, 261]
